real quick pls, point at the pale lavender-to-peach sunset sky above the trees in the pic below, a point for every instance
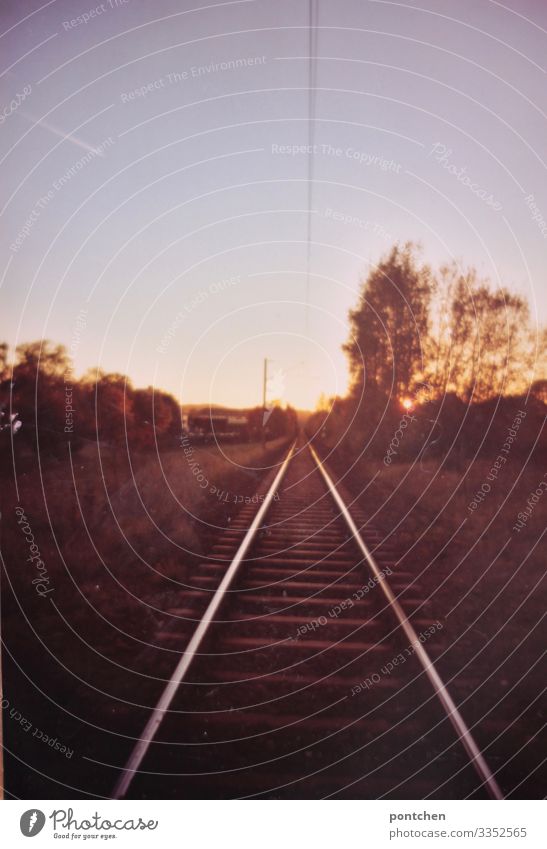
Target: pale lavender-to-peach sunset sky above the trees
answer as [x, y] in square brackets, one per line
[156, 157]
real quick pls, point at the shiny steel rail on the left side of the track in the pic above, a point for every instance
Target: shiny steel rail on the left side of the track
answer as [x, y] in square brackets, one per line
[158, 714]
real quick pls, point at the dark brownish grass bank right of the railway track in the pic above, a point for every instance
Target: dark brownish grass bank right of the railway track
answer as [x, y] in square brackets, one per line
[483, 580]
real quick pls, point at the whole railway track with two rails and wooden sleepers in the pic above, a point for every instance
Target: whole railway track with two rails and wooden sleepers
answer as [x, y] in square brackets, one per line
[302, 676]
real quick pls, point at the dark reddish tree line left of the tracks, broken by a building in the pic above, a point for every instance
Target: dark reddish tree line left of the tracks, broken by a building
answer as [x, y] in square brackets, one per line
[43, 401]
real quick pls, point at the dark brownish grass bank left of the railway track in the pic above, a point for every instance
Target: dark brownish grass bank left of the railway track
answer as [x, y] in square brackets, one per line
[118, 540]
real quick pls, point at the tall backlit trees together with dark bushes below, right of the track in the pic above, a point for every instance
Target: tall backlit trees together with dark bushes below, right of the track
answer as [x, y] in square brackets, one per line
[456, 353]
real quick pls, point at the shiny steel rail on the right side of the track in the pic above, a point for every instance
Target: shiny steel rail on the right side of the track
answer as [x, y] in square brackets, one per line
[463, 732]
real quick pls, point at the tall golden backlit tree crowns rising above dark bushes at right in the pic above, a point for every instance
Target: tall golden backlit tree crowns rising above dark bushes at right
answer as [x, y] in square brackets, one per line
[450, 331]
